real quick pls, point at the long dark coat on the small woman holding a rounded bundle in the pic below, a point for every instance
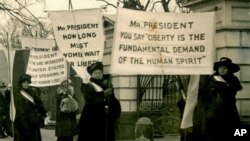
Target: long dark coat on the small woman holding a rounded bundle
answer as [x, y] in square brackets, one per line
[66, 124]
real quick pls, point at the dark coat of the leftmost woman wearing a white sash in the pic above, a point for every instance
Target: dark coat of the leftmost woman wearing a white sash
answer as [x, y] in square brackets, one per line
[27, 122]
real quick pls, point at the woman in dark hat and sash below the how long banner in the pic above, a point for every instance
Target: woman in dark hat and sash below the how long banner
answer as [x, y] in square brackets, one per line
[97, 122]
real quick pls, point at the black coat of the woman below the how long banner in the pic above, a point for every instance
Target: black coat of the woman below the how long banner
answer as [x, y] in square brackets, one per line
[95, 124]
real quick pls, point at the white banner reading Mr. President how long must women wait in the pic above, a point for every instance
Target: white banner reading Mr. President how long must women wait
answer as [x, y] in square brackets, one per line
[79, 35]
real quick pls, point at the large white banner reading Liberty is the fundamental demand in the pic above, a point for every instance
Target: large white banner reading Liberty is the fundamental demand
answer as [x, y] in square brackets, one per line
[163, 43]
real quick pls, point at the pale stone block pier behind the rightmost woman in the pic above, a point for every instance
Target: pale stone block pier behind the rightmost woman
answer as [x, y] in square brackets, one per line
[231, 39]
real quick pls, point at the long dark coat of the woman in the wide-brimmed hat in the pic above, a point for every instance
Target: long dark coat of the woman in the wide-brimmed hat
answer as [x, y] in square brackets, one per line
[216, 111]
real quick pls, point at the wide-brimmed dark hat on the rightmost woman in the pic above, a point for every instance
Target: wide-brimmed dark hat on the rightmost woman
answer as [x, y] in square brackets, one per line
[224, 61]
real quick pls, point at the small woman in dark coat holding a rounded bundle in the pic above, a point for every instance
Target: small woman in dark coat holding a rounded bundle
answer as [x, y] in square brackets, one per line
[66, 126]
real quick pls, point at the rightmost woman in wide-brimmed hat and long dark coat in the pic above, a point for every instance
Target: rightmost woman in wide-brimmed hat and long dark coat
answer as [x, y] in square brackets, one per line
[218, 102]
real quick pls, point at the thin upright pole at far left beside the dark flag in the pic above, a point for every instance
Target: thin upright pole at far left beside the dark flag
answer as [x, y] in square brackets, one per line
[12, 105]
